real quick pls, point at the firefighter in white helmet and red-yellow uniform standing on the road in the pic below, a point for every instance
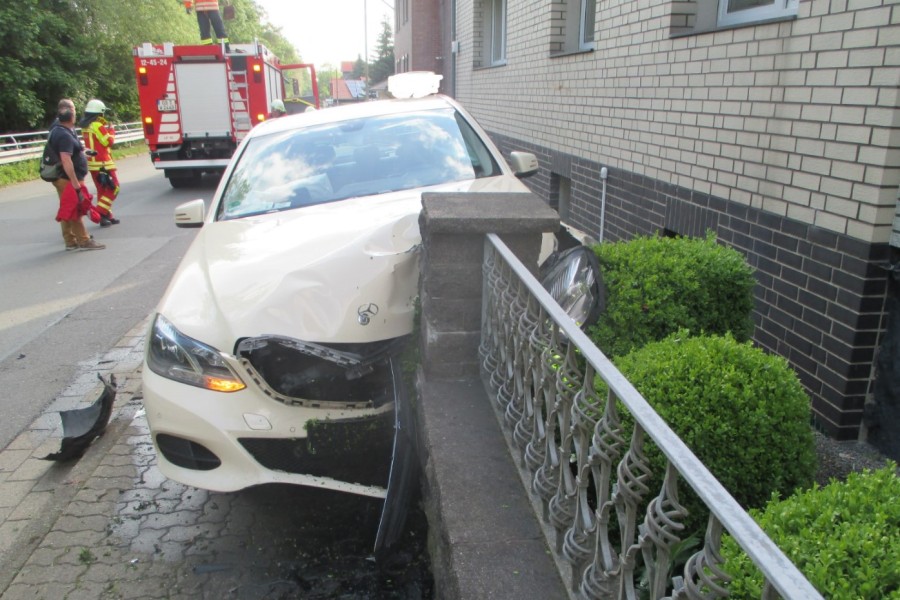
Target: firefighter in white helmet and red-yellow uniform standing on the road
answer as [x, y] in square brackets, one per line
[99, 137]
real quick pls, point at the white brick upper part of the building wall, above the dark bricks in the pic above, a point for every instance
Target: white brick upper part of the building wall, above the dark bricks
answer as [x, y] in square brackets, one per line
[799, 117]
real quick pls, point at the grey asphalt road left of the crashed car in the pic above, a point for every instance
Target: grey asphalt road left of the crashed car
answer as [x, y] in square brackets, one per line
[61, 310]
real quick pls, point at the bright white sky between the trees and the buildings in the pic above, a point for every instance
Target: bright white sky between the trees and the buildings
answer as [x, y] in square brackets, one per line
[330, 31]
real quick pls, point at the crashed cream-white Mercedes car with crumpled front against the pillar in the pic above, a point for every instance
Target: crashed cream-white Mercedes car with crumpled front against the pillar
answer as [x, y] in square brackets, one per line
[273, 355]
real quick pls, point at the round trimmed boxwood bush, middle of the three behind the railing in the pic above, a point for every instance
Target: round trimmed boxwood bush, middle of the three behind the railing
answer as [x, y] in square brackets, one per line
[743, 413]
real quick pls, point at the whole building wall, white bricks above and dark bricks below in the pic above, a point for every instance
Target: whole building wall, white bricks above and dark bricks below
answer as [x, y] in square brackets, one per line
[781, 137]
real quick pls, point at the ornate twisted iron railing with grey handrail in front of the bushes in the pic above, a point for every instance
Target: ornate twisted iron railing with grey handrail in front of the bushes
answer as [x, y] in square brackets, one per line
[586, 472]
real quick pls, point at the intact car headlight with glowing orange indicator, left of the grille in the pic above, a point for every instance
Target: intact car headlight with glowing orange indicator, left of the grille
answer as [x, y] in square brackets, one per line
[175, 356]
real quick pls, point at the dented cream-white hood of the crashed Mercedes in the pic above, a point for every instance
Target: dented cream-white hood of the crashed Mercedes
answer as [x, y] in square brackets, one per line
[341, 272]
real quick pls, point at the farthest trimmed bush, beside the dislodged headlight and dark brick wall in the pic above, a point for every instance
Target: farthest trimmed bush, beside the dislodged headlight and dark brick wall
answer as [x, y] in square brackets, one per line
[656, 286]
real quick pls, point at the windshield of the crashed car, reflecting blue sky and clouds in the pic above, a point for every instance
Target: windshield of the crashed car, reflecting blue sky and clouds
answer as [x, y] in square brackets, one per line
[348, 159]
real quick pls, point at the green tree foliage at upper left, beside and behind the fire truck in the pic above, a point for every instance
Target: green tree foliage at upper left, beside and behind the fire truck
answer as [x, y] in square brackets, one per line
[82, 49]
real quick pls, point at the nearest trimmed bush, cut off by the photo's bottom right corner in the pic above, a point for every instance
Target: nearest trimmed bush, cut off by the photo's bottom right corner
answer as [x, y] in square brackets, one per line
[844, 537]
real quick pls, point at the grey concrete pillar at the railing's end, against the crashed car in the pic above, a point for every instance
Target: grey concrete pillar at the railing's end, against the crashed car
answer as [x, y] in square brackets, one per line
[453, 227]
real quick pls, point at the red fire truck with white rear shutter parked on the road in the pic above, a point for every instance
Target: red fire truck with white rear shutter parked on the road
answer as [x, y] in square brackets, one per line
[198, 102]
